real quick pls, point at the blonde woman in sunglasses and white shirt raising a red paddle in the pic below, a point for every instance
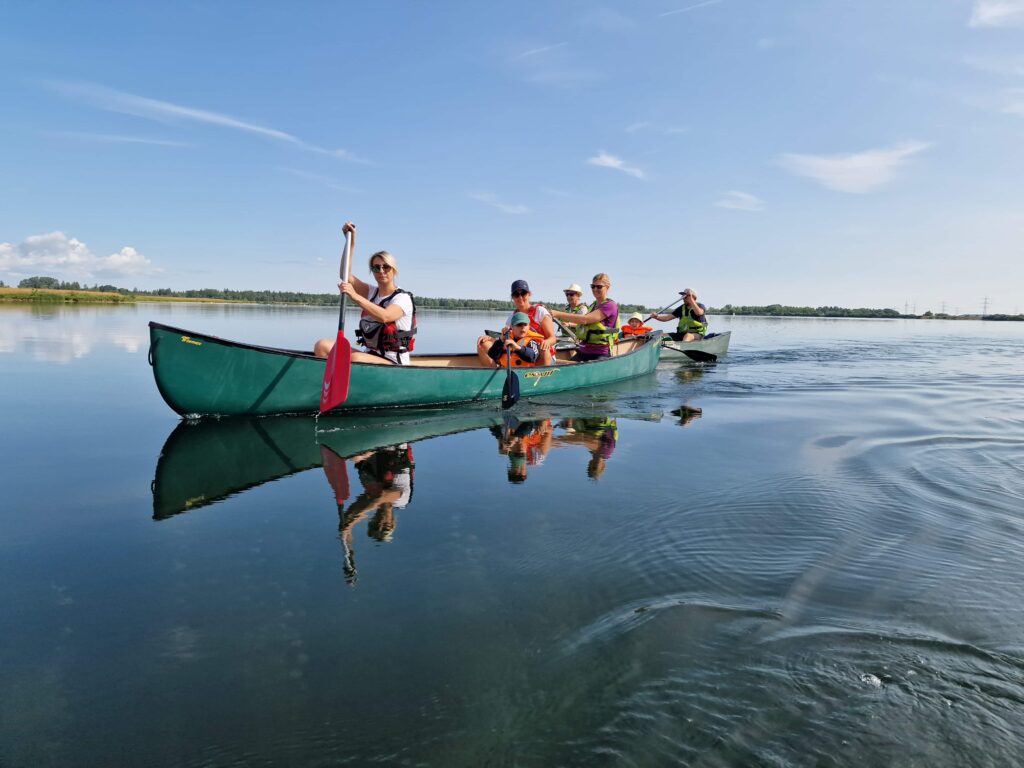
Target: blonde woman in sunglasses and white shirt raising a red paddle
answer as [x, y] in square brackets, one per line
[388, 325]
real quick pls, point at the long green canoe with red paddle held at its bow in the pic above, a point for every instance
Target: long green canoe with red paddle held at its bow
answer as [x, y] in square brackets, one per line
[200, 375]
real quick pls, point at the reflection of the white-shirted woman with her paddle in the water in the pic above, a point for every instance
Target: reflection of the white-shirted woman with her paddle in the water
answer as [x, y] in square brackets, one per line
[387, 477]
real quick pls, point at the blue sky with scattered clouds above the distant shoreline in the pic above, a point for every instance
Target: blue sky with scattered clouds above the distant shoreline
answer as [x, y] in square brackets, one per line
[861, 154]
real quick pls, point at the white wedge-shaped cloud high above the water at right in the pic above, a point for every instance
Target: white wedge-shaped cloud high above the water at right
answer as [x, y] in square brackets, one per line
[857, 174]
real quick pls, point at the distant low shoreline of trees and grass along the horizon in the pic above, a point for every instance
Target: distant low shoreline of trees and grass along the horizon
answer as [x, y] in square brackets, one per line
[53, 291]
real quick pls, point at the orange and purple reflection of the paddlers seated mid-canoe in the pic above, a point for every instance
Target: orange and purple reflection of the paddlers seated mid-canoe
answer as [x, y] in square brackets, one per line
[527, 443]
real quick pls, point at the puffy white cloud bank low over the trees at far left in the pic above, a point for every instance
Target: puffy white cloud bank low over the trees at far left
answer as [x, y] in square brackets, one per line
[58, 255]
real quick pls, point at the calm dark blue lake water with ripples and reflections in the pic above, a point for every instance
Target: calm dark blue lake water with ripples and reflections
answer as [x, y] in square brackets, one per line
[825, 567]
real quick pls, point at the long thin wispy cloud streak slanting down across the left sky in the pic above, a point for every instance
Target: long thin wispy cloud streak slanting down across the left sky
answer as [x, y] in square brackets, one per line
[110, 100]
